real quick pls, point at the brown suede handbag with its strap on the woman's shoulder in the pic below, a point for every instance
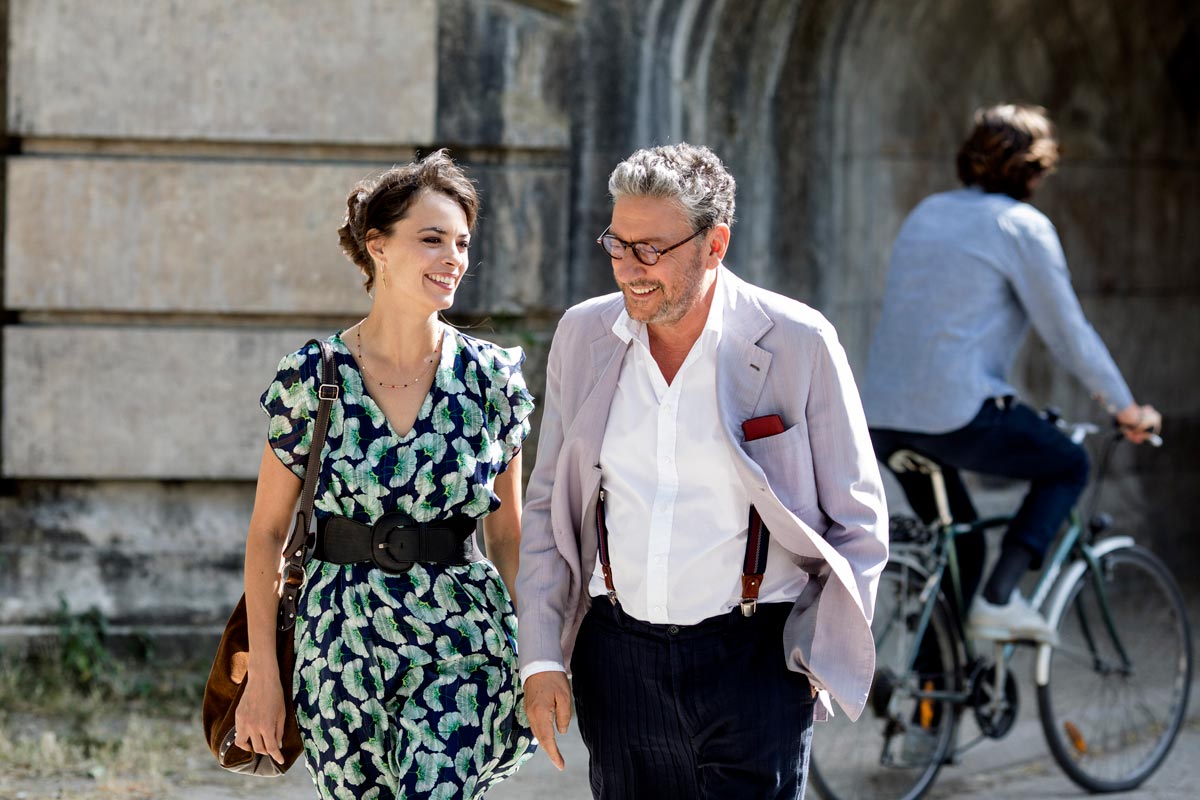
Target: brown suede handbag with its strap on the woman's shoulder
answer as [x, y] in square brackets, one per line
[227, 679]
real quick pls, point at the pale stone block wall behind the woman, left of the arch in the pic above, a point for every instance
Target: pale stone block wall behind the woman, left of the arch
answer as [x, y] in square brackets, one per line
[176, 177]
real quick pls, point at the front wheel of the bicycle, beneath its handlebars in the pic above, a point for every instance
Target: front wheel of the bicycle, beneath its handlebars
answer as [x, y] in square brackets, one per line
[1118, 694]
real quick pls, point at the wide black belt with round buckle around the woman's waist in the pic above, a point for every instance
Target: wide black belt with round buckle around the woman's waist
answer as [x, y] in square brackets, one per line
[395, 543]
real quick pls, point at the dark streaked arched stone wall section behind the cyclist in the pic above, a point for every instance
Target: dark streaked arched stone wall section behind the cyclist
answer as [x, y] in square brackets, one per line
[837, 118]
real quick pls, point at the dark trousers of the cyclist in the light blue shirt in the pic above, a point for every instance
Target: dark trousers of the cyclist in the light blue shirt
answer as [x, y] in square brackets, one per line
[1009, 440]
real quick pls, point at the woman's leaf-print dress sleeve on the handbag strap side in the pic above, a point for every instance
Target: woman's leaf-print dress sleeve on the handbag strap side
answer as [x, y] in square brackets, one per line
[291, 402]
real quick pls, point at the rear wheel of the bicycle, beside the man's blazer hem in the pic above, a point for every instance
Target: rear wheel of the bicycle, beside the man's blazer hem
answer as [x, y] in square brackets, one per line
[902, 741]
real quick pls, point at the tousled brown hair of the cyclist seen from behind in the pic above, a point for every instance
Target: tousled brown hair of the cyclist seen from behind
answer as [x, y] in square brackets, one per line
[1009, 147]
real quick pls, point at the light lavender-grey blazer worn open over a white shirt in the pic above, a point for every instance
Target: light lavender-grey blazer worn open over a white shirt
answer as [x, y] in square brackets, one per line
[817, 485]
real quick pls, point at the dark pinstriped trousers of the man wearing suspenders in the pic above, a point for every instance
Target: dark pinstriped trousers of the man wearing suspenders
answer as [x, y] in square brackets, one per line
[692, 712]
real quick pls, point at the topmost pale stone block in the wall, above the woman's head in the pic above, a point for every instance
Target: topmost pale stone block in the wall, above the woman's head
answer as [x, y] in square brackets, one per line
[357, 73]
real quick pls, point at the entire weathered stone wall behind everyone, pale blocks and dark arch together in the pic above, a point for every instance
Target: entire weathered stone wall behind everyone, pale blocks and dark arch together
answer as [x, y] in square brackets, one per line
[177, 169]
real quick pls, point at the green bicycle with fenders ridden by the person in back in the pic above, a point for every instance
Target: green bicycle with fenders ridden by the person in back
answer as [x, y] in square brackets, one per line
[1112, 694]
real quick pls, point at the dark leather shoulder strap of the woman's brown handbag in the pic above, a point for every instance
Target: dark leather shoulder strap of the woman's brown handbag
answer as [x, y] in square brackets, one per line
[299, 546]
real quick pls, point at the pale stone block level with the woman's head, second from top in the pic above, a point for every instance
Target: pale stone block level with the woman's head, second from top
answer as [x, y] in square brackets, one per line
[151, 236]
